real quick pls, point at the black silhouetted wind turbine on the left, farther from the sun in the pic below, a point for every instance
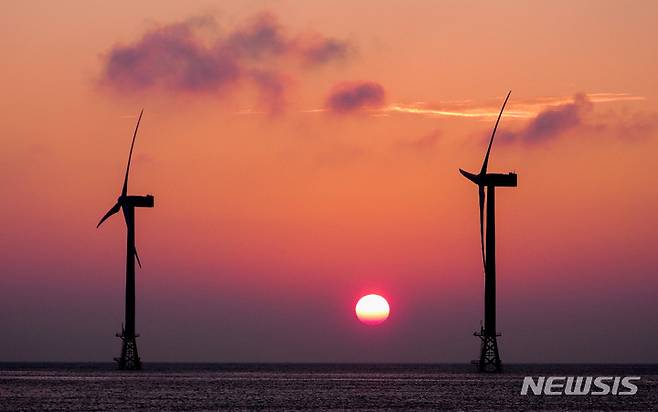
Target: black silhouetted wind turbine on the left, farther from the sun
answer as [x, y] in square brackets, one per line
[129, 359]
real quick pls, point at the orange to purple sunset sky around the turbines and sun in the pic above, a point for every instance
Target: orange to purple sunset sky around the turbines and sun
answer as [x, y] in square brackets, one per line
[304, 154]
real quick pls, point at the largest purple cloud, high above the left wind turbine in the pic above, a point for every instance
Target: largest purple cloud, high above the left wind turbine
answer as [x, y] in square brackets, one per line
[177, 58]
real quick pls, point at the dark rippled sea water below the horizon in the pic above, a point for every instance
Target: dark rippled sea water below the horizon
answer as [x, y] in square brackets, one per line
[172, 387]
